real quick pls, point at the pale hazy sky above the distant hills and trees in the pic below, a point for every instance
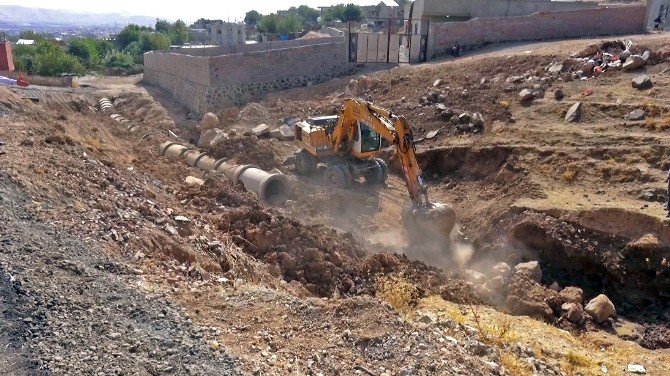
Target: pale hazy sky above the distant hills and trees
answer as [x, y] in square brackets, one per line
[189, 10]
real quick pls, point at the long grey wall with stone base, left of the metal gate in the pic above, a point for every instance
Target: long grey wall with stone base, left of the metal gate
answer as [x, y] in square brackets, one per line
[206, 84]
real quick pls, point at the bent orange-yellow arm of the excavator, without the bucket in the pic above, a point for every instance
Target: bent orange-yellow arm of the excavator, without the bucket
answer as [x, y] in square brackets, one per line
[395, 129]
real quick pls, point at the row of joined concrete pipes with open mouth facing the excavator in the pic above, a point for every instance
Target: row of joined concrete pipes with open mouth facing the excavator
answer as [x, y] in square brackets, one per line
[271, 188]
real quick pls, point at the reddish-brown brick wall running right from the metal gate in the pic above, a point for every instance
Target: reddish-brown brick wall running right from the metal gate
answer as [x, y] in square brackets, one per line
[552, 25]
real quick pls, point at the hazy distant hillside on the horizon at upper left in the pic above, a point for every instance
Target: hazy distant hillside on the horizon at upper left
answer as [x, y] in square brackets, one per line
[38, 16]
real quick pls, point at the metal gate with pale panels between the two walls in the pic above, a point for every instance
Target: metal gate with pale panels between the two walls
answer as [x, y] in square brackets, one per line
[387, 41]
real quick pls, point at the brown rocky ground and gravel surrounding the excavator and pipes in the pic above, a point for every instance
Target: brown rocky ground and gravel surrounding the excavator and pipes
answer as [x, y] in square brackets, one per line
[112, 262]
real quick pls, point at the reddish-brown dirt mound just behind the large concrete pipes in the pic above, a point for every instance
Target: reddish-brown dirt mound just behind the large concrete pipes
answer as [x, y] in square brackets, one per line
[246, 149]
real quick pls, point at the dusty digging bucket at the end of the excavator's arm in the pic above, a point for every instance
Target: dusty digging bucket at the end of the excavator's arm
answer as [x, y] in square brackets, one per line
[428, 228]
